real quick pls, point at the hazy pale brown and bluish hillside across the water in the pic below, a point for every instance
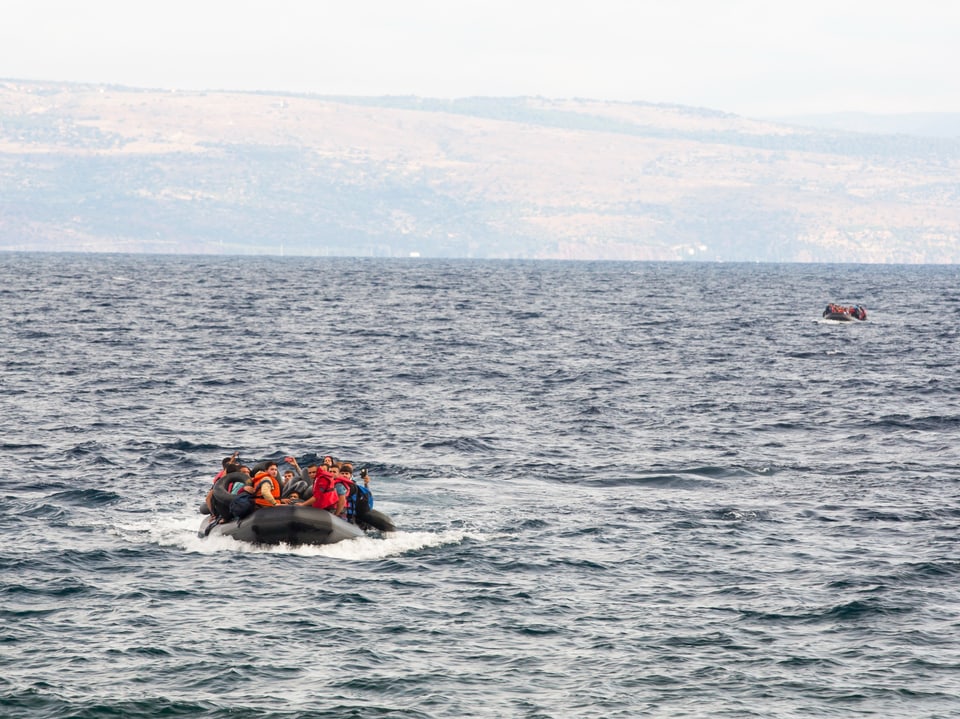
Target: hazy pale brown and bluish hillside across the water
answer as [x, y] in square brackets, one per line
[102, 168]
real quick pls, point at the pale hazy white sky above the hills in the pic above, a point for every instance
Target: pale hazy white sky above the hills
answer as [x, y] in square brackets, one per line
[752, 57]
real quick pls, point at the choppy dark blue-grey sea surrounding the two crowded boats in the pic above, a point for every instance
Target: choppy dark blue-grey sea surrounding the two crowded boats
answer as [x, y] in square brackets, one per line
[621, 489]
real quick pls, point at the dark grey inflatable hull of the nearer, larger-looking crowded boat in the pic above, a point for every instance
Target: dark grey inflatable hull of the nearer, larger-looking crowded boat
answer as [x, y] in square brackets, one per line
[295, 525]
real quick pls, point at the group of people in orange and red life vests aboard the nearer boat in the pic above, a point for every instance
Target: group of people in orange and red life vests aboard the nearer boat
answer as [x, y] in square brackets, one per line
[329, 485]
